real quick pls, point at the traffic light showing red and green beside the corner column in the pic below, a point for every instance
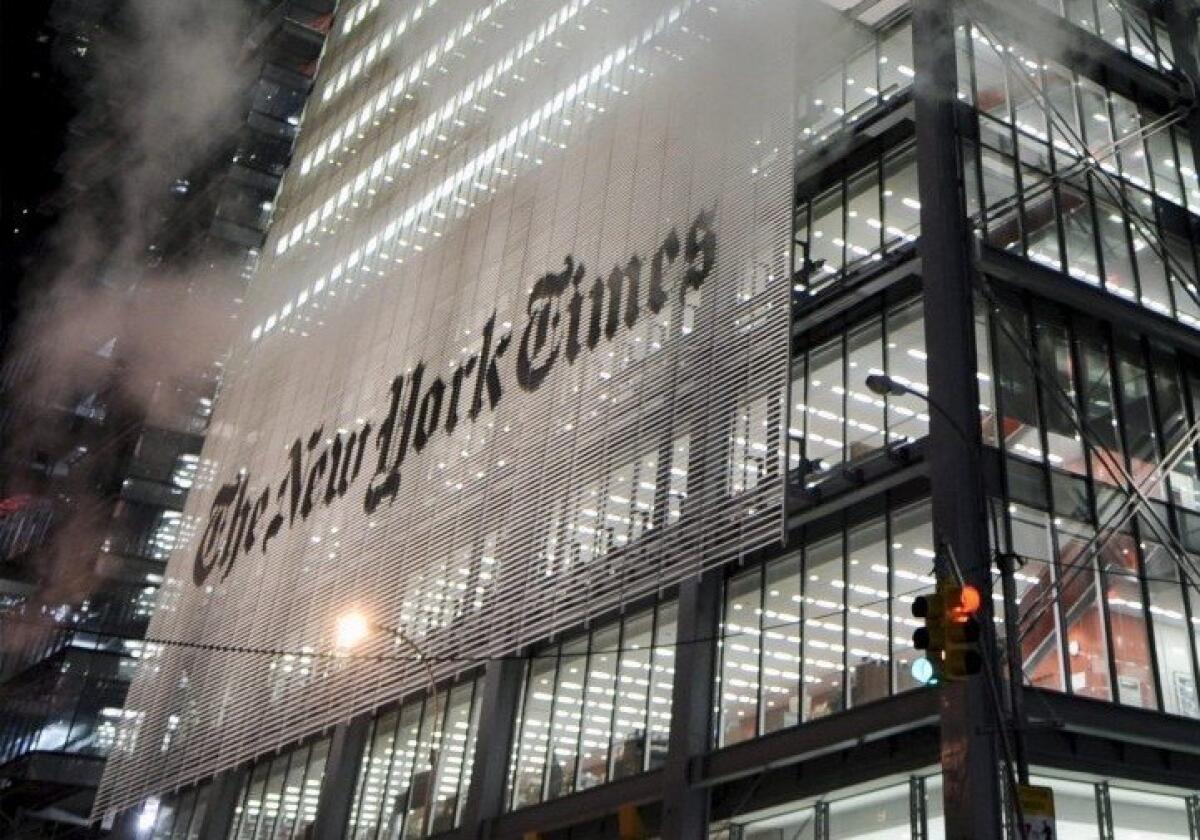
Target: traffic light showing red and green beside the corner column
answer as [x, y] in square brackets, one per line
[950, 637]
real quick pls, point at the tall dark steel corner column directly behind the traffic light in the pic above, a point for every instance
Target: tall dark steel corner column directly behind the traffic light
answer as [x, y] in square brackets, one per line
[971, 793]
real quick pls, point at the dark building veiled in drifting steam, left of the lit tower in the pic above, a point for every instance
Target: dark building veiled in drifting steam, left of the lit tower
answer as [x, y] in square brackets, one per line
[99, 447]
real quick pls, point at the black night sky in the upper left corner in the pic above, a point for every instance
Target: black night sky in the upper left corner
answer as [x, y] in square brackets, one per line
[38, 113]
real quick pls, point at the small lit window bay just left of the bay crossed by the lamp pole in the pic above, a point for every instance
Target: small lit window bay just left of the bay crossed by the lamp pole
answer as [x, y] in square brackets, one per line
[280, 796]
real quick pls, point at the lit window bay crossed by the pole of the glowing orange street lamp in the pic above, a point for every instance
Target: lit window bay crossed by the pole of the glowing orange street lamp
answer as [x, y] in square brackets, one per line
[399, 782]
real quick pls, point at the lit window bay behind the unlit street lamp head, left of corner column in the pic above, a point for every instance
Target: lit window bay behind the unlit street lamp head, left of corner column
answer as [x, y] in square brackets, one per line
[836, 419]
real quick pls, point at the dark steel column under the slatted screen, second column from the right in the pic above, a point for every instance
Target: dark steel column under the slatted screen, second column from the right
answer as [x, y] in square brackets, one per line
[686, 802]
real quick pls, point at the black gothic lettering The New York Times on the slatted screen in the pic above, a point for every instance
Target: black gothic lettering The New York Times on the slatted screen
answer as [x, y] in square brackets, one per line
[567, 315]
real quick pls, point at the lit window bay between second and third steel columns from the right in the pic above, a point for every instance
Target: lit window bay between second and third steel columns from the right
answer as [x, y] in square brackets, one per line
[596, 707]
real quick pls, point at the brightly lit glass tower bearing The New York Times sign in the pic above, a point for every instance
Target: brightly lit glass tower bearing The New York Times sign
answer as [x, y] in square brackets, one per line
[617, 379]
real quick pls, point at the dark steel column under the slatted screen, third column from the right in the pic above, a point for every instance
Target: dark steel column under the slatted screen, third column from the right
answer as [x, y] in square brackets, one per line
[494, 746]
